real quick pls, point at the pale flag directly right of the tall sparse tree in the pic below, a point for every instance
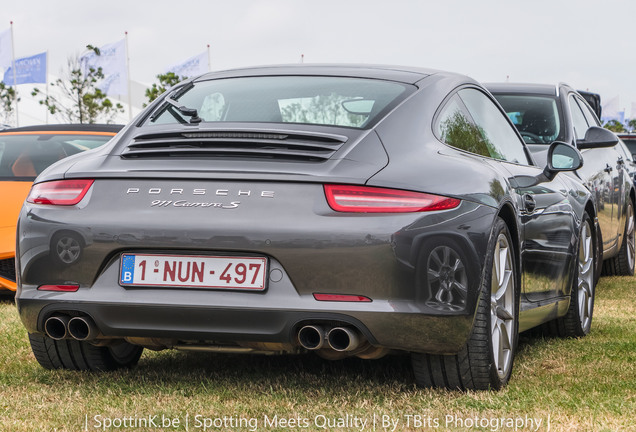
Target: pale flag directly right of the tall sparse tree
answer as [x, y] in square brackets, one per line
[112, 60]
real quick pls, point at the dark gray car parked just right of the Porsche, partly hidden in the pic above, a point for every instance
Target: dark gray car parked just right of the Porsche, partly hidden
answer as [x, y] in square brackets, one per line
[547, 113]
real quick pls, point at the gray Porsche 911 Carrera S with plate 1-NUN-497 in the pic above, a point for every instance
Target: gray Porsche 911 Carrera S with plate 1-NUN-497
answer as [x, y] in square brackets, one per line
[345, 210]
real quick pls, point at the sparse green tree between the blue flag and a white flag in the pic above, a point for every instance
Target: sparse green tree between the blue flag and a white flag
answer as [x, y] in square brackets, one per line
[80, 100]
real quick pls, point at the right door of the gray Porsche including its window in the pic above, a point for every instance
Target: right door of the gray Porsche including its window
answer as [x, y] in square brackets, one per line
[545, 214]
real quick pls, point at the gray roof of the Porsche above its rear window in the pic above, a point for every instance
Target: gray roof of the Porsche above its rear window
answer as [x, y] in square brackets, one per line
[407, 75]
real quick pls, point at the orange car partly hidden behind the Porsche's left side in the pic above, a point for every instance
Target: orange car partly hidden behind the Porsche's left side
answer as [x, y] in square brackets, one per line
[24, 153]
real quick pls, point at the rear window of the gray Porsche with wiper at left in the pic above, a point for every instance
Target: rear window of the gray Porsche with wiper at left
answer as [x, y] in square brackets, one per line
[331, 101]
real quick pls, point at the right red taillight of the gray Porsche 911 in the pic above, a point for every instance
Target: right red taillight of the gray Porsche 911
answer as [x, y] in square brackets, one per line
[363, 199]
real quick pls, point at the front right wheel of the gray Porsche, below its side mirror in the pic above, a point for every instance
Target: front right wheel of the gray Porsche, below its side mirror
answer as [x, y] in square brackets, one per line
[578, 320]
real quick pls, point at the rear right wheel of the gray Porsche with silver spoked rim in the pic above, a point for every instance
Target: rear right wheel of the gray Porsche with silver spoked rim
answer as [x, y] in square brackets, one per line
[485, 362]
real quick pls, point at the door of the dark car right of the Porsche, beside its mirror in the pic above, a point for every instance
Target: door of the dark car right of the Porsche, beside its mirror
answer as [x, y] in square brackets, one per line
[602, 172]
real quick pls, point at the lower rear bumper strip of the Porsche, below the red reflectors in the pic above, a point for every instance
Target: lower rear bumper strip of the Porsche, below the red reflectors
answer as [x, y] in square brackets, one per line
[408, 331]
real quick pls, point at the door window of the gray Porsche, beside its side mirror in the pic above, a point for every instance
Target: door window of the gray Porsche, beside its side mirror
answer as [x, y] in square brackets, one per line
[495, 128]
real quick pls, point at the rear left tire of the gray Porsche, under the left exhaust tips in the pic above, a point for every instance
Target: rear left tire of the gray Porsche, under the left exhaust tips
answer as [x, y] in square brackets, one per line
[78, 355]
